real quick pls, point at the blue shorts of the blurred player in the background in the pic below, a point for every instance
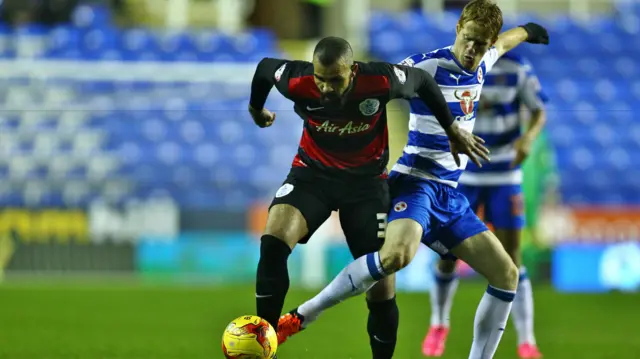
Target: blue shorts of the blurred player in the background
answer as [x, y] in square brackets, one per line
[503, 205]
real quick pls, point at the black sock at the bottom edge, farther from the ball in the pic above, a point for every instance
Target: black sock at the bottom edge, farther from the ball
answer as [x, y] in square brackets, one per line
[382, 326]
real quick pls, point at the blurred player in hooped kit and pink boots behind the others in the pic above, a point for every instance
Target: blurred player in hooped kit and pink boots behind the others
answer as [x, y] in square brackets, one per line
[497, 186]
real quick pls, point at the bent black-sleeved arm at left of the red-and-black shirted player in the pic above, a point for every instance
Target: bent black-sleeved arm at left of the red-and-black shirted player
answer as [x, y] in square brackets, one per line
[263, 80]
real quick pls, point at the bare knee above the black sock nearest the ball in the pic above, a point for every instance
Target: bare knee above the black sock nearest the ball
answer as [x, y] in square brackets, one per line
[286, 223]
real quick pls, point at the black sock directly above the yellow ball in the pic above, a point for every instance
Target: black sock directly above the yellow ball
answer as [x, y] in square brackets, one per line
[272, 280]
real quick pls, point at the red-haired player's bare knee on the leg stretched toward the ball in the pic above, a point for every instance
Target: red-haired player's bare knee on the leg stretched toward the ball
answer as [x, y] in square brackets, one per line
[401, 244]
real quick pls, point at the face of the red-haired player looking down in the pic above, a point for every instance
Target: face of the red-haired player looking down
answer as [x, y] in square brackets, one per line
[472, 43]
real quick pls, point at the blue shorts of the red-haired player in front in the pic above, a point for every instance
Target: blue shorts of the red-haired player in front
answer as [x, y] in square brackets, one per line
[442, 211]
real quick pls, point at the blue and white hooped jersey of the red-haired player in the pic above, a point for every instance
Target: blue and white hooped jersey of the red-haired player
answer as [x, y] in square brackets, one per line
[427, 154]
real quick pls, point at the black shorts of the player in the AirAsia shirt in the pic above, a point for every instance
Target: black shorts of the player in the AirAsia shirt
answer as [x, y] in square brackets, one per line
[362, 205]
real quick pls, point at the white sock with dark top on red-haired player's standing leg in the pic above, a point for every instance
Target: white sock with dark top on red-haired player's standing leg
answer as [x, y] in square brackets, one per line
[490, 322]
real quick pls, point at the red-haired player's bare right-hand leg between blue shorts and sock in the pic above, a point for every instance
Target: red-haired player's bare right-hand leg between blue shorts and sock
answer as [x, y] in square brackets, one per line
[486, 255]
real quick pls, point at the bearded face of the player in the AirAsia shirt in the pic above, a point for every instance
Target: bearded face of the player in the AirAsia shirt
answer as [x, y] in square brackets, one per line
[333, 81]
